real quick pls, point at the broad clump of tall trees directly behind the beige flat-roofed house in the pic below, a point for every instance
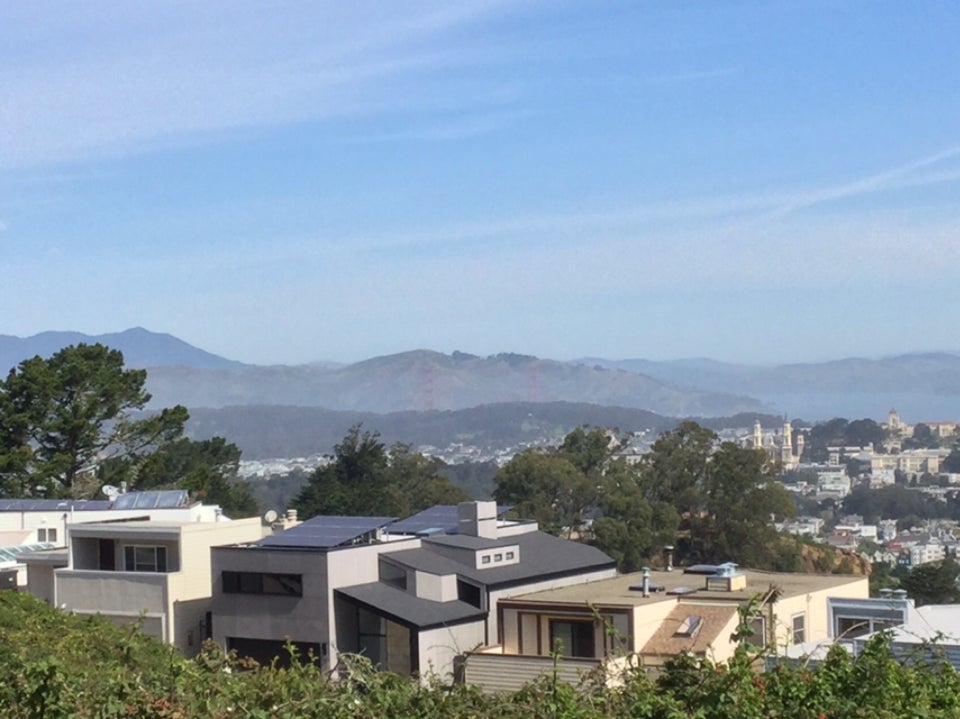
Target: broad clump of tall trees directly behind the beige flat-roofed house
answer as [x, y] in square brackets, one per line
[714, 502]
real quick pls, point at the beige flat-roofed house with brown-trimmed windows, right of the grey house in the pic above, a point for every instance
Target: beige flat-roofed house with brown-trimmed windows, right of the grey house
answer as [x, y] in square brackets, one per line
[637, 620]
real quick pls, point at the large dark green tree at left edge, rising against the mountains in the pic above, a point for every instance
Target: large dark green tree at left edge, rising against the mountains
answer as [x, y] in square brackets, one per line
[75, 421]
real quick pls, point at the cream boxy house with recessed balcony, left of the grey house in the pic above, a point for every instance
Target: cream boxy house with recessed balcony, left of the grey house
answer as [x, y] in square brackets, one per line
[154, 572]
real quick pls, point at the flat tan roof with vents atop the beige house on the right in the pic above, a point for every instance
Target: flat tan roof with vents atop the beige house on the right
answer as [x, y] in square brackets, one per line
[617, 589]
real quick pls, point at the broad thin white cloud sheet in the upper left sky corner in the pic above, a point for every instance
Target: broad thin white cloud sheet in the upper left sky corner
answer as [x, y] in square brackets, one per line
[110, 83]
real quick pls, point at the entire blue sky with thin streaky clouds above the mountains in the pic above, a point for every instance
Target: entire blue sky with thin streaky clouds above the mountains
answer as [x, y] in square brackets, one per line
[287, 182]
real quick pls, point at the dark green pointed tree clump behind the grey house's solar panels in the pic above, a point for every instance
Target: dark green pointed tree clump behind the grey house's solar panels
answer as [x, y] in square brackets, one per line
[365, 479]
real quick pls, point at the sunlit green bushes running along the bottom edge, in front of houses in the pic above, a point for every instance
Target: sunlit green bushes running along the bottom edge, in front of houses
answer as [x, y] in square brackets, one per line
[58, 665]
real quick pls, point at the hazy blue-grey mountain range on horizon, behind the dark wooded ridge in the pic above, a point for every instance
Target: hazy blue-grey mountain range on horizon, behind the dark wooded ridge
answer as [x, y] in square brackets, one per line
[921, 386]
